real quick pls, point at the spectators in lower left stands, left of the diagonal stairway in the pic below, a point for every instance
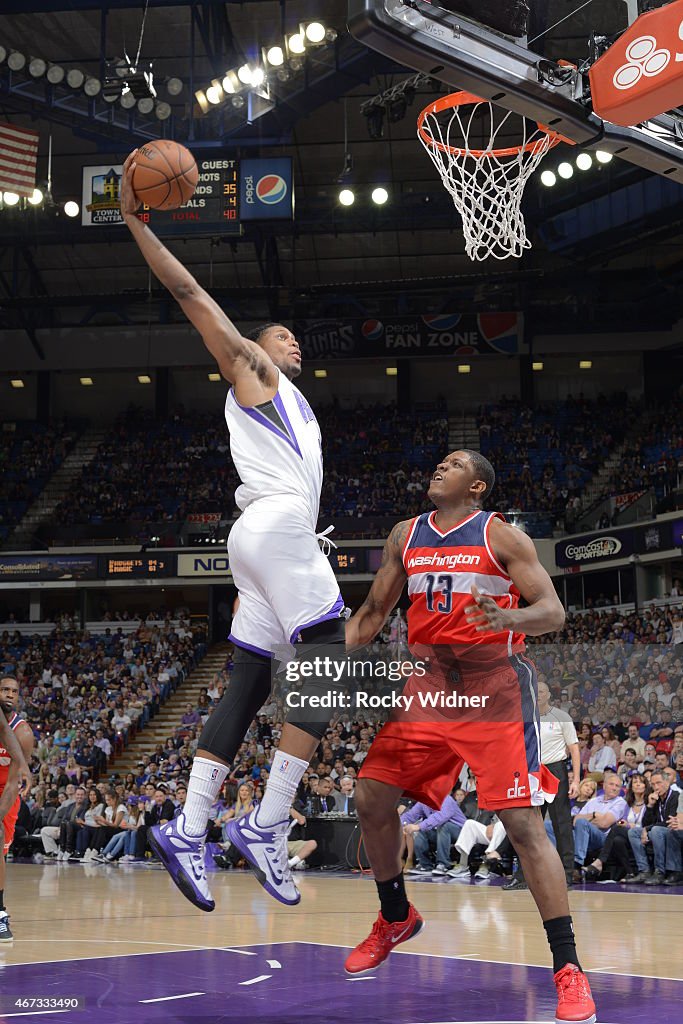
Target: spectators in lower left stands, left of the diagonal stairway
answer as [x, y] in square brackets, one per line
[87, 697]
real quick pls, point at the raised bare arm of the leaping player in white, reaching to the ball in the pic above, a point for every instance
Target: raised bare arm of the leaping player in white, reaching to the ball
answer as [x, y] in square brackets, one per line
[237, 357]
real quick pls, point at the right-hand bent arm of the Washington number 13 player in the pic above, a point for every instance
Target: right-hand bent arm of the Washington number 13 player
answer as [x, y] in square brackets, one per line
[516, 551]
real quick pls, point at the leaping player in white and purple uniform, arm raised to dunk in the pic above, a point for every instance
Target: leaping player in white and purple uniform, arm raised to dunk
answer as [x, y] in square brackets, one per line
[287, 588]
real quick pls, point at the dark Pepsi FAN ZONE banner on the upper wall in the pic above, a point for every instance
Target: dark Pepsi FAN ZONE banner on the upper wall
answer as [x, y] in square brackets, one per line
[446, 334]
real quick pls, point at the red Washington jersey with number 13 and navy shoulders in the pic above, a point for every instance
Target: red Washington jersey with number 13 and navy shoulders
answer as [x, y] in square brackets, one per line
[442, 569]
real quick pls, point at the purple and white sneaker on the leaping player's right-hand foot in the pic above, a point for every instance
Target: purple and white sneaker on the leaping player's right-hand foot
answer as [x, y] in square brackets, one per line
[266, 849]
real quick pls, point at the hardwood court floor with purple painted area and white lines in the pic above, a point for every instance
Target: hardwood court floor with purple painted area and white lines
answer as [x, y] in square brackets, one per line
[127, 942]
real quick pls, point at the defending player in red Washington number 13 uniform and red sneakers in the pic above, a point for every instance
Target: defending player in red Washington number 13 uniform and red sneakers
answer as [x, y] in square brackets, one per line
[466, 570]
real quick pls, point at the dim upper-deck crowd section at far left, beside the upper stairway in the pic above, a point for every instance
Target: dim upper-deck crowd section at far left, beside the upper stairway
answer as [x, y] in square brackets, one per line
[30, 453]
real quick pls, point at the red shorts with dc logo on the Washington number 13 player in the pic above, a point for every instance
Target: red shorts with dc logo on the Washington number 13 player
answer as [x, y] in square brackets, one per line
[426, 758]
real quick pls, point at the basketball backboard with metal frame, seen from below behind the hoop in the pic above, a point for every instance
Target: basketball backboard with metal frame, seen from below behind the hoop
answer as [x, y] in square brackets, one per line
[523, 74]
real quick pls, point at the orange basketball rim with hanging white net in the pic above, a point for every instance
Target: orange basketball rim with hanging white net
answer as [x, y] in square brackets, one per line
[488, 184]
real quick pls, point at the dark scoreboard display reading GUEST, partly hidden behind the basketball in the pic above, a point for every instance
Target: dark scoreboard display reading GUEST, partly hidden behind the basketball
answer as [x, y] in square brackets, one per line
[215, 207]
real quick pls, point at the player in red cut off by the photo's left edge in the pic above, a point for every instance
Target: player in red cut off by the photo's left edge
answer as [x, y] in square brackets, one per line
[17, 742]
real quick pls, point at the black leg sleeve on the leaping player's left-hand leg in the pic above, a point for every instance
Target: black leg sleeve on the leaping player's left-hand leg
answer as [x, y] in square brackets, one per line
[248, 691]
